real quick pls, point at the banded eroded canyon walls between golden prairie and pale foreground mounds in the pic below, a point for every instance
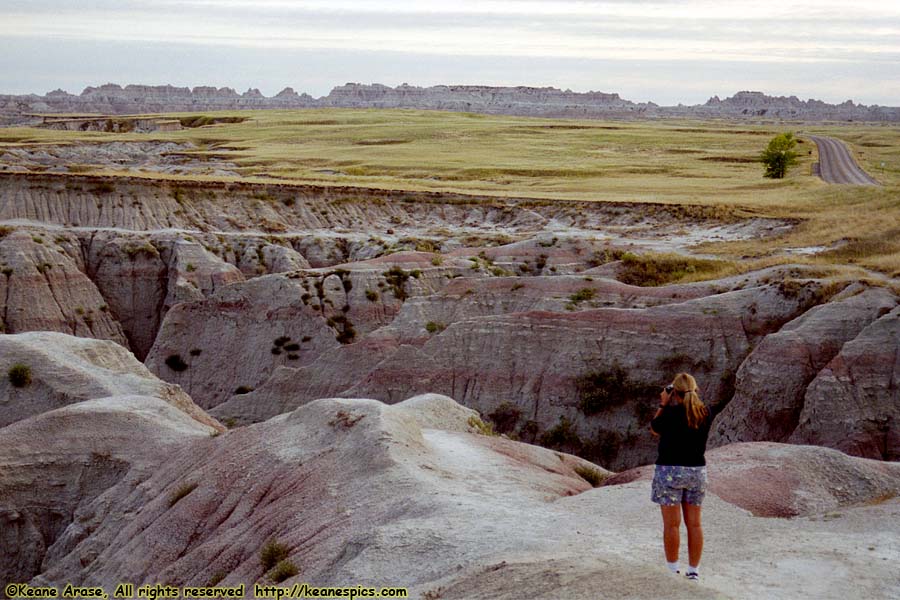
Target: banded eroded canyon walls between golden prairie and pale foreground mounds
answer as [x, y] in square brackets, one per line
[259, 299]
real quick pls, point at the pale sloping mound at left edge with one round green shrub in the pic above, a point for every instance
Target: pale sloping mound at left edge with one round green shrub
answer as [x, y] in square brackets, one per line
[65, 370]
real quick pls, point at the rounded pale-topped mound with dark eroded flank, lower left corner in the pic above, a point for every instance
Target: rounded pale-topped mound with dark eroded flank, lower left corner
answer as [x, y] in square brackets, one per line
[56, 462]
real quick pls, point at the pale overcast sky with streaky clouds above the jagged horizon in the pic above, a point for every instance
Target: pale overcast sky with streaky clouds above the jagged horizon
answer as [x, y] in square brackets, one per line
[667, 51]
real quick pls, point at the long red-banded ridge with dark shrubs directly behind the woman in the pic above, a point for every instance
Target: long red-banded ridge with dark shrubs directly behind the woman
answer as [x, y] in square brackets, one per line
[548, 370]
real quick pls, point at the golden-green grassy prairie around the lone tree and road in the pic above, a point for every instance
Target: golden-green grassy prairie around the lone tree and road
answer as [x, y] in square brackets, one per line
[672, 162]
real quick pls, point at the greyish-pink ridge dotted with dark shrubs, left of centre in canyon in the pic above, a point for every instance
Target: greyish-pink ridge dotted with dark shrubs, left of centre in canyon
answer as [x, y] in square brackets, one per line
[285, 320]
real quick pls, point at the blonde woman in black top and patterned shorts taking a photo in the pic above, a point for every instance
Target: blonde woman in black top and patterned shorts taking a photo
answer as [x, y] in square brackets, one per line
[679, 481]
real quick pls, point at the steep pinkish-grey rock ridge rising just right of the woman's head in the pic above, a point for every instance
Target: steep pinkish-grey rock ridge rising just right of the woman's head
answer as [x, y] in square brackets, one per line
[771, 385]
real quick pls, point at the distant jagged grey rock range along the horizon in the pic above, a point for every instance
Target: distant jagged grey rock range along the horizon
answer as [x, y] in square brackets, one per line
[520, 100]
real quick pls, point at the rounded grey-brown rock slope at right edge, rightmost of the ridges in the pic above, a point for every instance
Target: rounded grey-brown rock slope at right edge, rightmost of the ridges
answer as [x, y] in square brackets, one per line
[853, 404]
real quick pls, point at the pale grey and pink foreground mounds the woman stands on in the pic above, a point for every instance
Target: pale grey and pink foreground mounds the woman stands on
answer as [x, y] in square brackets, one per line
[358, 492]
